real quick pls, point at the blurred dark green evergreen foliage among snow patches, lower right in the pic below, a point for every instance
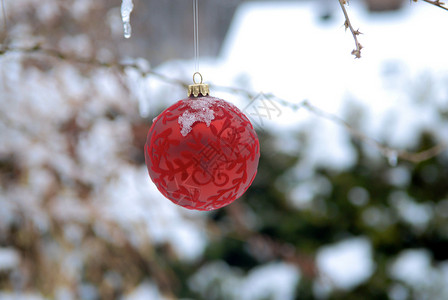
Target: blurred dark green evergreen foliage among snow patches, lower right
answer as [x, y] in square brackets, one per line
[285, 233]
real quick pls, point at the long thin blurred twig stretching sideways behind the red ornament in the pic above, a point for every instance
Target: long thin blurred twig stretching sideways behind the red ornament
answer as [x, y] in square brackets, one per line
[414, 157]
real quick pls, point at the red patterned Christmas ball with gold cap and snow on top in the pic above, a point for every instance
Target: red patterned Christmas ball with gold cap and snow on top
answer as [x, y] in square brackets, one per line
[202, 152]
